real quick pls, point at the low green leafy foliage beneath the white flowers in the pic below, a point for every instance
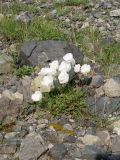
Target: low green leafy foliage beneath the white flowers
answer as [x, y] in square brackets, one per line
[65, 101]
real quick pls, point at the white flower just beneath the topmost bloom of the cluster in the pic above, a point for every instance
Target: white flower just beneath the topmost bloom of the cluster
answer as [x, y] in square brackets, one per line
[64, 66]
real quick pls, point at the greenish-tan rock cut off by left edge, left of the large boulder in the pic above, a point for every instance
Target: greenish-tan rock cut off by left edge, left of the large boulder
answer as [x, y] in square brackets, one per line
[6, 64]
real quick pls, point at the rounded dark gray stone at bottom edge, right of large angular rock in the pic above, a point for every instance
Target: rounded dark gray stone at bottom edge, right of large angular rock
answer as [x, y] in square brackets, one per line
[58, 151]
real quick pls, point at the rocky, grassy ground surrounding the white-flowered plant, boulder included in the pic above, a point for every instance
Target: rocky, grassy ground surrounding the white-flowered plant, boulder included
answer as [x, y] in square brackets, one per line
[94, 27]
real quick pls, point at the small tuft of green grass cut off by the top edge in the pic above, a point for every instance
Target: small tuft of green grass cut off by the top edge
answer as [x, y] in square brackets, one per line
[76, 2]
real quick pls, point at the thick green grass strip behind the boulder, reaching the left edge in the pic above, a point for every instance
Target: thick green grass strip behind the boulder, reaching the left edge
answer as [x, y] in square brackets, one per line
[39, 28]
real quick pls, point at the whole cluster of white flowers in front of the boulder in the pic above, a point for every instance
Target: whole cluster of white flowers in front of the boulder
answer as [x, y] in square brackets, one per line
[58, 73]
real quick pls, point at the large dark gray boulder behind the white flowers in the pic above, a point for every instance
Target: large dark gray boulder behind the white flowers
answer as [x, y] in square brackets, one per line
[41, 53]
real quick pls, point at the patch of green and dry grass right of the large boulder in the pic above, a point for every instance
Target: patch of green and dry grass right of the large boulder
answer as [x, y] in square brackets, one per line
[90, 40]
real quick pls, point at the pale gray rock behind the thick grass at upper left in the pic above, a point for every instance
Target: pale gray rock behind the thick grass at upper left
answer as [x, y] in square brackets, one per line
[25, 17]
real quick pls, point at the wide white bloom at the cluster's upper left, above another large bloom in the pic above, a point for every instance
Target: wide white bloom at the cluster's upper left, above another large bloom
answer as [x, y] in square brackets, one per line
[47, 71]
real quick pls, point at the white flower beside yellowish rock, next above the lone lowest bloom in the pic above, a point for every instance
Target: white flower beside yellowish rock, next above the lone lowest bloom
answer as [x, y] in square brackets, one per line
[47, 81]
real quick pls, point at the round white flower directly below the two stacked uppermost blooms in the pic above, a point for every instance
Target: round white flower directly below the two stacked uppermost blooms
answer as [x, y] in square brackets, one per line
[63, 77]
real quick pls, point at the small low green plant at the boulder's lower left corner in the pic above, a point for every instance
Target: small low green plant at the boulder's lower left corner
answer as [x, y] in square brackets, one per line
[24, 70]
